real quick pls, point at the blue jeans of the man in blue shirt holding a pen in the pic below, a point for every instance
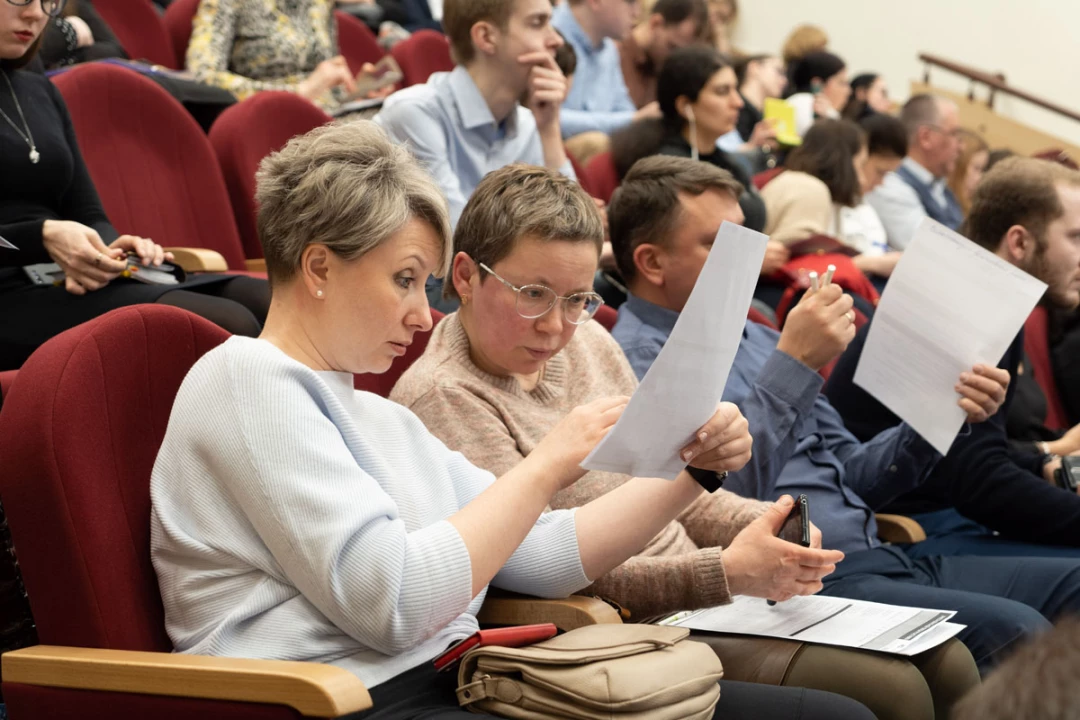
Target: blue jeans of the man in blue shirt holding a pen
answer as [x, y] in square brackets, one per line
[1003, 601]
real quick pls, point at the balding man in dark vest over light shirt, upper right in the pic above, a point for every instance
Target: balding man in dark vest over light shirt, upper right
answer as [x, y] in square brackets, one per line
[917, 188]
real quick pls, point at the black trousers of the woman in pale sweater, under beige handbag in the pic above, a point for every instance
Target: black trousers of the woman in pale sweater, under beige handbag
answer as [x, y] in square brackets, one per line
[424, 695]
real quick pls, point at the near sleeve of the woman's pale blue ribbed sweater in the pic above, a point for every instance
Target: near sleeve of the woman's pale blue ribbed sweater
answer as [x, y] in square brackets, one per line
[331, 527]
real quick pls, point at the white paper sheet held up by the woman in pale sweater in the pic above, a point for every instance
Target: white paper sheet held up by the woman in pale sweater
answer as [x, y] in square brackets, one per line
[682, 390]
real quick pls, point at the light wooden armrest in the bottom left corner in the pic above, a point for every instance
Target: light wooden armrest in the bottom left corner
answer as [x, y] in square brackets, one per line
[312, 689]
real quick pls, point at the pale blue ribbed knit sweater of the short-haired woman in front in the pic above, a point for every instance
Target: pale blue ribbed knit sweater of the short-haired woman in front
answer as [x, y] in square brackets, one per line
[296, 519]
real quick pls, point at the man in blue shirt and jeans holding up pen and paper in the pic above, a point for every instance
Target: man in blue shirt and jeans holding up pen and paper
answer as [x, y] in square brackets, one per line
[664, 221]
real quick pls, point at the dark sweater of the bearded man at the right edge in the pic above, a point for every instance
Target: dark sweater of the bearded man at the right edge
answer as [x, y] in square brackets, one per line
[980, 477]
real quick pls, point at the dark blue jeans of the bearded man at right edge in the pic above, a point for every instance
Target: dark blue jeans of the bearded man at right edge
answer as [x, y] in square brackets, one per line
[951, 534]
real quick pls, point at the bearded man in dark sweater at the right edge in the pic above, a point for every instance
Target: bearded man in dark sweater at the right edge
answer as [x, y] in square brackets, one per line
[1028, 213]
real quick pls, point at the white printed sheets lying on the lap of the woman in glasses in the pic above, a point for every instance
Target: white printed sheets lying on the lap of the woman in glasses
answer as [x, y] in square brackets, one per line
[829, 621]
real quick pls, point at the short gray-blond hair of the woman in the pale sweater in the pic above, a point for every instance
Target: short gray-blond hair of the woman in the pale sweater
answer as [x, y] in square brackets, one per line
[348, 187]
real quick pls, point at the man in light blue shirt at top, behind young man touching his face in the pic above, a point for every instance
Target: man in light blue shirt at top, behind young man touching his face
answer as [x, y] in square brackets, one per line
[599, 101]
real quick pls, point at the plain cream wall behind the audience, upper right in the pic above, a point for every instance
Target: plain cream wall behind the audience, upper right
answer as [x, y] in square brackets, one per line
[1033, 43]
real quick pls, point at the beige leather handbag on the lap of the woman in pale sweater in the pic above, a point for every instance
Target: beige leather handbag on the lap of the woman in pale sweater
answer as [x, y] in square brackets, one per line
[595, 673]
